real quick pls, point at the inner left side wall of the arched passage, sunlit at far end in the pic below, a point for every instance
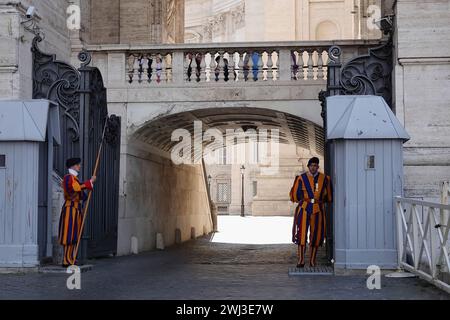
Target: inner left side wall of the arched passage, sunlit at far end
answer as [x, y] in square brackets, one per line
[160, 197]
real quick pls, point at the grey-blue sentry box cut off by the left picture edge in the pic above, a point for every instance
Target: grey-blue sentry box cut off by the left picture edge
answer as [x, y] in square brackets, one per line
[28, 132]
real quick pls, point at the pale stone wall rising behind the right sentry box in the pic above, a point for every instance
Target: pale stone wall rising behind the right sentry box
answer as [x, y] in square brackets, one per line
[422, 93]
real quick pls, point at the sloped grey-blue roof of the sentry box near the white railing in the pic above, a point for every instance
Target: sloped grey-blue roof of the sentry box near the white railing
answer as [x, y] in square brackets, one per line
[362, 117]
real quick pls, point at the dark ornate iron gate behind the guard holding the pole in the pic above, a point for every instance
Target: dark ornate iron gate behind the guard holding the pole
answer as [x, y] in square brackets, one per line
[81, 97]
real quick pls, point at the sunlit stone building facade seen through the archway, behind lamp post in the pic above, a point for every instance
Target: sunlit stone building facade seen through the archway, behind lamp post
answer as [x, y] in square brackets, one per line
[265, 194]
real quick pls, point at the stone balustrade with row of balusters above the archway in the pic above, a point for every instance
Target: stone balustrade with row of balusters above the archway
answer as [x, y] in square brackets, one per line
[243, 63]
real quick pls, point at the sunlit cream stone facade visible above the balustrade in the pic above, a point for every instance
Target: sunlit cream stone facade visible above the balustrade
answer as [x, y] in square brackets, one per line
[279, 20]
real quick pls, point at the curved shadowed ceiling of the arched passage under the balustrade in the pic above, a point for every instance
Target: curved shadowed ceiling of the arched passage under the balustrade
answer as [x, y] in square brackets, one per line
[292, 129]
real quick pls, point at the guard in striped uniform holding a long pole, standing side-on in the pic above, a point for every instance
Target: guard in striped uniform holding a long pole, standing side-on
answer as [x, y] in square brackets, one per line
[71, 212]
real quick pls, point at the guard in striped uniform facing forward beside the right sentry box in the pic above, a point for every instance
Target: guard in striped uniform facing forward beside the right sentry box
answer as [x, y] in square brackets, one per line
[311, 191]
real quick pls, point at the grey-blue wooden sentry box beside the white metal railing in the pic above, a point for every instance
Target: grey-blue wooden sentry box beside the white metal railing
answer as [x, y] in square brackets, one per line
[366, 154]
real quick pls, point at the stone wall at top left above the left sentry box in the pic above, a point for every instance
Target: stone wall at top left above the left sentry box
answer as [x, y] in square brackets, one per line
[15, 42]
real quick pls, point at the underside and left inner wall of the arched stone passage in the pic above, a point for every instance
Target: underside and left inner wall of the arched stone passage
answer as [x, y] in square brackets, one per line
[170, 199]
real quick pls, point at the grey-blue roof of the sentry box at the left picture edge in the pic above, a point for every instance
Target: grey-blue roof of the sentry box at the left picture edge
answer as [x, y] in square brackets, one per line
[27, 120]
